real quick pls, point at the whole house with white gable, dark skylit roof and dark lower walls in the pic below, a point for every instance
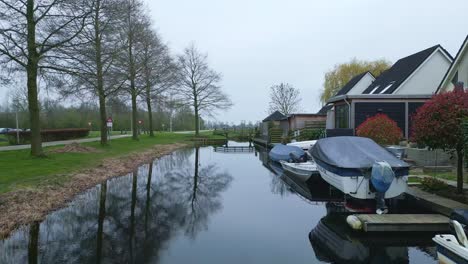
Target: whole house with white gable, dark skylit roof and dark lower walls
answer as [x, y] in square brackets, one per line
[397, 92]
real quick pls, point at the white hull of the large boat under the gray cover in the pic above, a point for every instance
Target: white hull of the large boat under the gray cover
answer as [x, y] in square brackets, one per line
[359, 187]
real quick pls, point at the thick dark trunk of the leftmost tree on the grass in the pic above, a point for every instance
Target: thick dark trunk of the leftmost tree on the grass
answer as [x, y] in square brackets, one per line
[32, 69]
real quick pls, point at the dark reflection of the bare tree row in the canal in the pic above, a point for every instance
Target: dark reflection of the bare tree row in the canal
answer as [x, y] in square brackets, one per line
[128, 219]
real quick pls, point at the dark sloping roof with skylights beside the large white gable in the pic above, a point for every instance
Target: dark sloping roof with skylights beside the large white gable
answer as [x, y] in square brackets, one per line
[401, 70]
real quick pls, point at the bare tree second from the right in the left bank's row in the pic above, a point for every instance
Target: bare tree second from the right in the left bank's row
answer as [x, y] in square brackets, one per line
[158, 73]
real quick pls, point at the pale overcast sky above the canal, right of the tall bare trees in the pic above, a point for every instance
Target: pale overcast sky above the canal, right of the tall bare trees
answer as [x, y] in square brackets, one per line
[258, 43]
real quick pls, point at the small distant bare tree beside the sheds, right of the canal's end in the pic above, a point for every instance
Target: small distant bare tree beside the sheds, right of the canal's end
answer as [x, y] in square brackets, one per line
[284, 98]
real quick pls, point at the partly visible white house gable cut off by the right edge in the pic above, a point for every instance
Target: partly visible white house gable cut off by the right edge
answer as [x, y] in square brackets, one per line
[457, 74]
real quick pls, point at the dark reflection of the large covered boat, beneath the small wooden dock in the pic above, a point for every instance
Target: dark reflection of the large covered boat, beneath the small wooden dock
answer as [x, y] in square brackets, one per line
[332, 241]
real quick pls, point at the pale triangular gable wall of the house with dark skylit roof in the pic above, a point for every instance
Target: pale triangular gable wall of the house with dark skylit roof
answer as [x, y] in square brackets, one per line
[427, 78]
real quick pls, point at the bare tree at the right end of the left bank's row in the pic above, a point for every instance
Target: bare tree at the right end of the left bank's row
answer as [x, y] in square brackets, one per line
[199, 85]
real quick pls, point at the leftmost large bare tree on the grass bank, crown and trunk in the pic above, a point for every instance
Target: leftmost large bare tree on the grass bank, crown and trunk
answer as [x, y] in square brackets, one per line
[29, 31]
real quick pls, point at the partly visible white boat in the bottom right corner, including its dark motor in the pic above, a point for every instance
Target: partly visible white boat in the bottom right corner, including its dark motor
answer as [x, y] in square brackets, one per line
[450, 248]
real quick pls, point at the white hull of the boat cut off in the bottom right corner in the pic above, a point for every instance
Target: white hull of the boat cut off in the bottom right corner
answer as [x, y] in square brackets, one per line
[449, 250]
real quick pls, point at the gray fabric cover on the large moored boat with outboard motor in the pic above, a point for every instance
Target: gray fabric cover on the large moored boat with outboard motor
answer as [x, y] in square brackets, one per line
[353, 153]
